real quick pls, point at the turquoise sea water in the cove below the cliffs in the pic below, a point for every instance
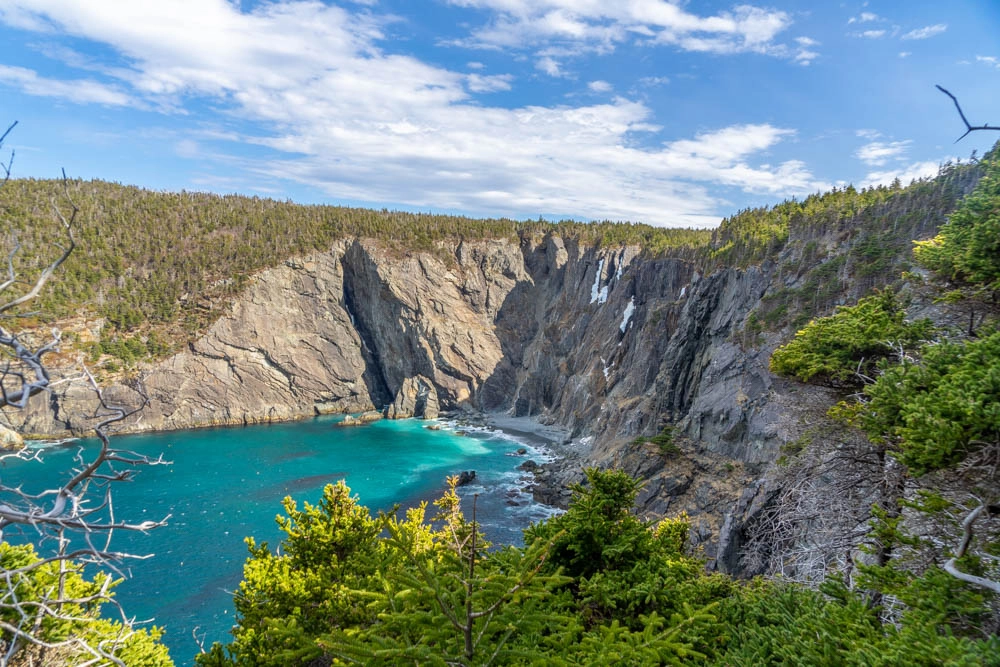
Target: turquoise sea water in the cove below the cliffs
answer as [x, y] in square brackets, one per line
[226, 483]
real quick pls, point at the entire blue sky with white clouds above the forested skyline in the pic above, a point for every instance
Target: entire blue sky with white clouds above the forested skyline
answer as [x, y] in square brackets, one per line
[668, 113]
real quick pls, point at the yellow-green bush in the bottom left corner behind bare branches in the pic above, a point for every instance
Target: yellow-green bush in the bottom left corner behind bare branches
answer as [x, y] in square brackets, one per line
[77, 620]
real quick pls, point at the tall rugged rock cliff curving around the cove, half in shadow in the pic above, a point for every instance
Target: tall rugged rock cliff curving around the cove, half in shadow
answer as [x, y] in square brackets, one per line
[610, 343]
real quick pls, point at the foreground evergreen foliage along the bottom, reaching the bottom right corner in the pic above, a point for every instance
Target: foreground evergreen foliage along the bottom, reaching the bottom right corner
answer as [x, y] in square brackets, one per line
[593, 586]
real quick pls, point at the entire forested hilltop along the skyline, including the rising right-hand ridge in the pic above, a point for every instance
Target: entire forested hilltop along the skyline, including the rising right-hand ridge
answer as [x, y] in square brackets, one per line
[159, 267]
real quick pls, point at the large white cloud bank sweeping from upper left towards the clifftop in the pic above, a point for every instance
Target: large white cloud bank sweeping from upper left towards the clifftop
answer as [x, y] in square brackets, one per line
[361, 124]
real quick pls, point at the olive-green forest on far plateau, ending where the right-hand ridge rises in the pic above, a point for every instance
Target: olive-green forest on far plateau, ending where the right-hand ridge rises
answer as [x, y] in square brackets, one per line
[169, 261]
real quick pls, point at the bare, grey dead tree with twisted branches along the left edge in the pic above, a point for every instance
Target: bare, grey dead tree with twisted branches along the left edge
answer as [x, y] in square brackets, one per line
[69, 524]
